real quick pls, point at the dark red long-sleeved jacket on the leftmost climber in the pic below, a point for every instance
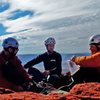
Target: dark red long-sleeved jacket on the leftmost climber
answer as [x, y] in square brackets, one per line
[17, 64]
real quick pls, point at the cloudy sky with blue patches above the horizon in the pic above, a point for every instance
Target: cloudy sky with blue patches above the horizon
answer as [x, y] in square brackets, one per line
[70, 22]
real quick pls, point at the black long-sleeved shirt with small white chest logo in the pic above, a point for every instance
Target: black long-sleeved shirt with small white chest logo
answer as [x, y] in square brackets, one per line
[51, 62]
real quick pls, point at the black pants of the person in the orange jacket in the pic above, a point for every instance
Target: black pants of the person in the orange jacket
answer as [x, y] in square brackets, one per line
[87, 75]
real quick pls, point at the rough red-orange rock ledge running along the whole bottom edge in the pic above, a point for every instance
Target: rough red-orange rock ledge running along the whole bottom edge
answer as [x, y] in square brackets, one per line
[86, 91]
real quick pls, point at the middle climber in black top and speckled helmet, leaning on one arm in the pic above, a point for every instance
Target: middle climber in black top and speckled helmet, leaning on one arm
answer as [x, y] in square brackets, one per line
[51, 60]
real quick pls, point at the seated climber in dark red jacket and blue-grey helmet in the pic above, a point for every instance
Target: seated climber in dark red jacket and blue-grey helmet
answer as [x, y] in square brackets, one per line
[12, 73]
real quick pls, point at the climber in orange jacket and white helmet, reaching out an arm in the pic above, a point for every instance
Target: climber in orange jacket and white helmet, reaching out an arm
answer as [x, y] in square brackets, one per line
[91, 62]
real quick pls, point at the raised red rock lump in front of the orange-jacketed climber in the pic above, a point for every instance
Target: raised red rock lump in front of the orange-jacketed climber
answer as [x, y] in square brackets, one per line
[86, 91]
